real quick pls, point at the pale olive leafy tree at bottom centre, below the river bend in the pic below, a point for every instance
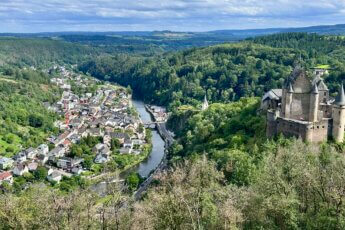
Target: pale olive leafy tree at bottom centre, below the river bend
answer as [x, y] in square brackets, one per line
[189, 197]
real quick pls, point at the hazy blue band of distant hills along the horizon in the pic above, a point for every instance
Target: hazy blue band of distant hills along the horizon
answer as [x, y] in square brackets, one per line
[160, 41]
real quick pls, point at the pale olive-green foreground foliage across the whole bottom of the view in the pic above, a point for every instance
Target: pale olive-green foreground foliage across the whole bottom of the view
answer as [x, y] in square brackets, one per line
[298, 186]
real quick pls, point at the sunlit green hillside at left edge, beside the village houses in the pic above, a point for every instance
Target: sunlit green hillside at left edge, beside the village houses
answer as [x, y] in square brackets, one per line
[24, 121]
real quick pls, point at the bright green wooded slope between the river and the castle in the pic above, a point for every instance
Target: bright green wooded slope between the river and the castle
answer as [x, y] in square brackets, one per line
[229, 133]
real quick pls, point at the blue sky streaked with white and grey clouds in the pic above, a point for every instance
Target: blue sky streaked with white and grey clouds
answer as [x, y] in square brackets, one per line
[24, 16]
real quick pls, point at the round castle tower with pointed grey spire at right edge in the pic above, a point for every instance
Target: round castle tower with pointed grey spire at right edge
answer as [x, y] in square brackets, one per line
[339, 116]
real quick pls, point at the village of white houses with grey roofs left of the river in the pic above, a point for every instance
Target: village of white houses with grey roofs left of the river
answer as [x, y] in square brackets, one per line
[106, 114]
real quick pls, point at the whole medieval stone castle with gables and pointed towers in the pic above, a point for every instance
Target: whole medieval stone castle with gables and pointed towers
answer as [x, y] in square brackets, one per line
[304, 109]
